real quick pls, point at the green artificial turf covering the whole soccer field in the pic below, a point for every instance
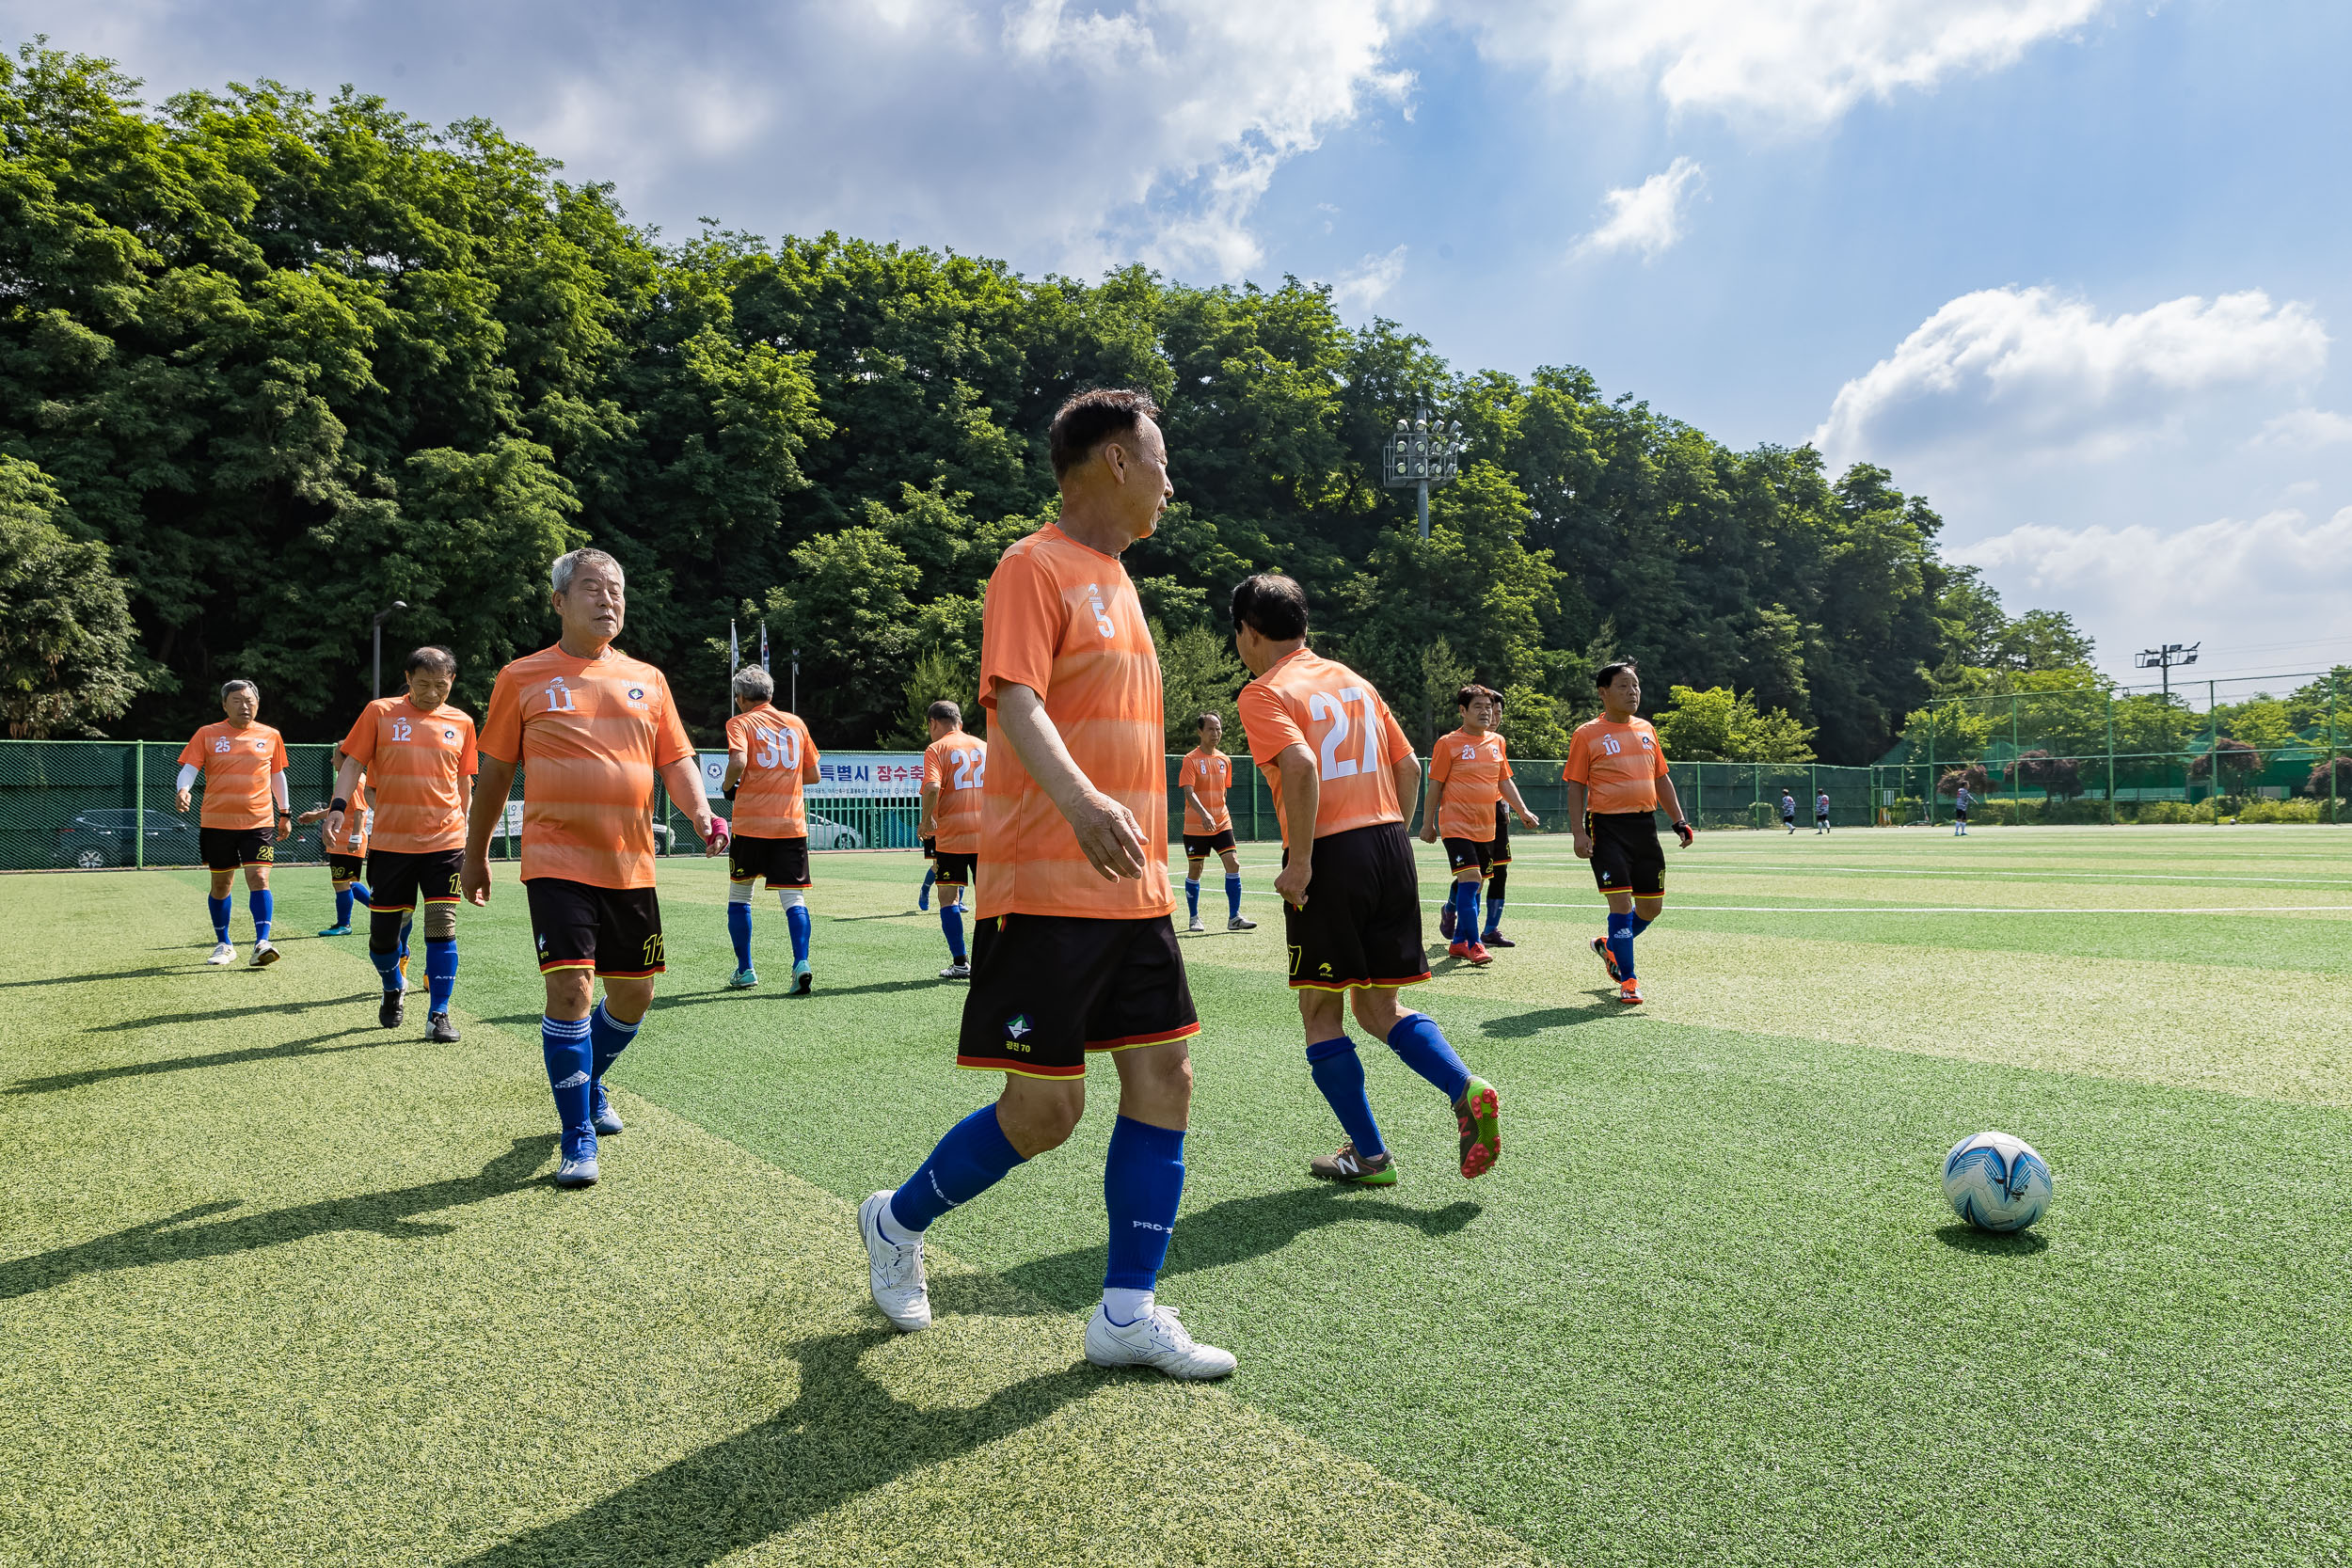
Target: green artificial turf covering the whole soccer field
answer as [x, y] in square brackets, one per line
[1709, 1308]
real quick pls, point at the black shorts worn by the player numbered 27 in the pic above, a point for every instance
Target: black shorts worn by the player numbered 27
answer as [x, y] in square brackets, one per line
[1363, 916]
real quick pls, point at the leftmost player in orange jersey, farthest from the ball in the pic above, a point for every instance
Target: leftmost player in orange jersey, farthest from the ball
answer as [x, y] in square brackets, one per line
[246, 812]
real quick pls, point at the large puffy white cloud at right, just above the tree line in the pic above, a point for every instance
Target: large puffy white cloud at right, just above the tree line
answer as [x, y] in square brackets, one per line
[2033, 375]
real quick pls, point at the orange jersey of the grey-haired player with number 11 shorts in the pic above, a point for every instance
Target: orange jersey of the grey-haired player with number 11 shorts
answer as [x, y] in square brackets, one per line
[592, 737]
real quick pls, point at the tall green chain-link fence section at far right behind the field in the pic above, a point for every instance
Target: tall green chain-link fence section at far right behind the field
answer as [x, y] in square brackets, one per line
[2252, 751]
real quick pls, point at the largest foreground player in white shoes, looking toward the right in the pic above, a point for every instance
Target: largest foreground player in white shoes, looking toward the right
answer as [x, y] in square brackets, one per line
[1076, 951]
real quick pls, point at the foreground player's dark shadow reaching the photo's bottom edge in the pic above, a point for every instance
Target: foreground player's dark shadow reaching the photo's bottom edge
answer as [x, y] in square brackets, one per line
[843, 1438]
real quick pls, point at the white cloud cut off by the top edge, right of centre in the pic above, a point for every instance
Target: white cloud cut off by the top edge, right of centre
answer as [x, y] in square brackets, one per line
[1786, 62]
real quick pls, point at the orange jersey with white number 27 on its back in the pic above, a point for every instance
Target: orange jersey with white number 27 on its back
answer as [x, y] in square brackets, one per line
[1339, 716]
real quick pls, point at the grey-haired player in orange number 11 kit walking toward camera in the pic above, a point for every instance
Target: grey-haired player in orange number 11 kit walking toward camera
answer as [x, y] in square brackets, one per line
[594, 730]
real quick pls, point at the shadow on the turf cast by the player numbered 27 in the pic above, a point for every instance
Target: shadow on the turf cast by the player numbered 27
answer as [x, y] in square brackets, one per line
[1236, 1231]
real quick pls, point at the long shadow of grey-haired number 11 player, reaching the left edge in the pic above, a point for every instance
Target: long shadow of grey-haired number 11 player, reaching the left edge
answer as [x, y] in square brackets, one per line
[175, 1240]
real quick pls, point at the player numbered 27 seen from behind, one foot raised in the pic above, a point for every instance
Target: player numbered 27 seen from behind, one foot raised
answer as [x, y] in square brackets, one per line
[1344, 777]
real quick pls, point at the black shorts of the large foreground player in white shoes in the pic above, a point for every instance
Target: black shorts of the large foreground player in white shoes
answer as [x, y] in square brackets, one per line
[1050, 989]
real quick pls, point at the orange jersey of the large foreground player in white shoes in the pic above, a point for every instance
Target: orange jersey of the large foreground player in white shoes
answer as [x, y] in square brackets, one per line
[1064, 622]
